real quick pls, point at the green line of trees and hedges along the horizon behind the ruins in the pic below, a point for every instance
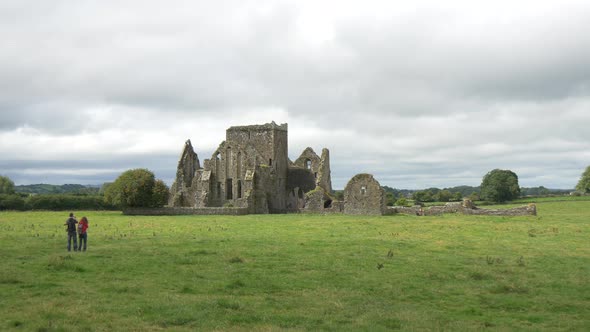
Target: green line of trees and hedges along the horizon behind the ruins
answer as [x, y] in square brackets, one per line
[140, 188]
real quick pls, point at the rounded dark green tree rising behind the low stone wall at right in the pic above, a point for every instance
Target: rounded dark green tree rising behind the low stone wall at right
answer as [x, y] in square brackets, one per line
[500, 186]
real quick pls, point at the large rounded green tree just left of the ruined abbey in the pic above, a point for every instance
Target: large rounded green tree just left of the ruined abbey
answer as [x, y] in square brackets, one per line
[136, 188]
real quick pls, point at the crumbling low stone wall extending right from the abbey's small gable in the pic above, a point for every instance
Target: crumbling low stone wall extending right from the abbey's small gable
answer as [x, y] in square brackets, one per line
[466, 207]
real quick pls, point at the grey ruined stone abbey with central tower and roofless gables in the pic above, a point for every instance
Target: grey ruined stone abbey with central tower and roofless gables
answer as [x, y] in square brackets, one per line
[251, 170]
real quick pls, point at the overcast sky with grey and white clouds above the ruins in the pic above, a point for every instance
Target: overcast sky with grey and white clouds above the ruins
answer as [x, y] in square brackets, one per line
[420, 93]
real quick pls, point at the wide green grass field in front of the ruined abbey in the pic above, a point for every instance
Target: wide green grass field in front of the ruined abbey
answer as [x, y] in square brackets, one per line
[299, 272]
